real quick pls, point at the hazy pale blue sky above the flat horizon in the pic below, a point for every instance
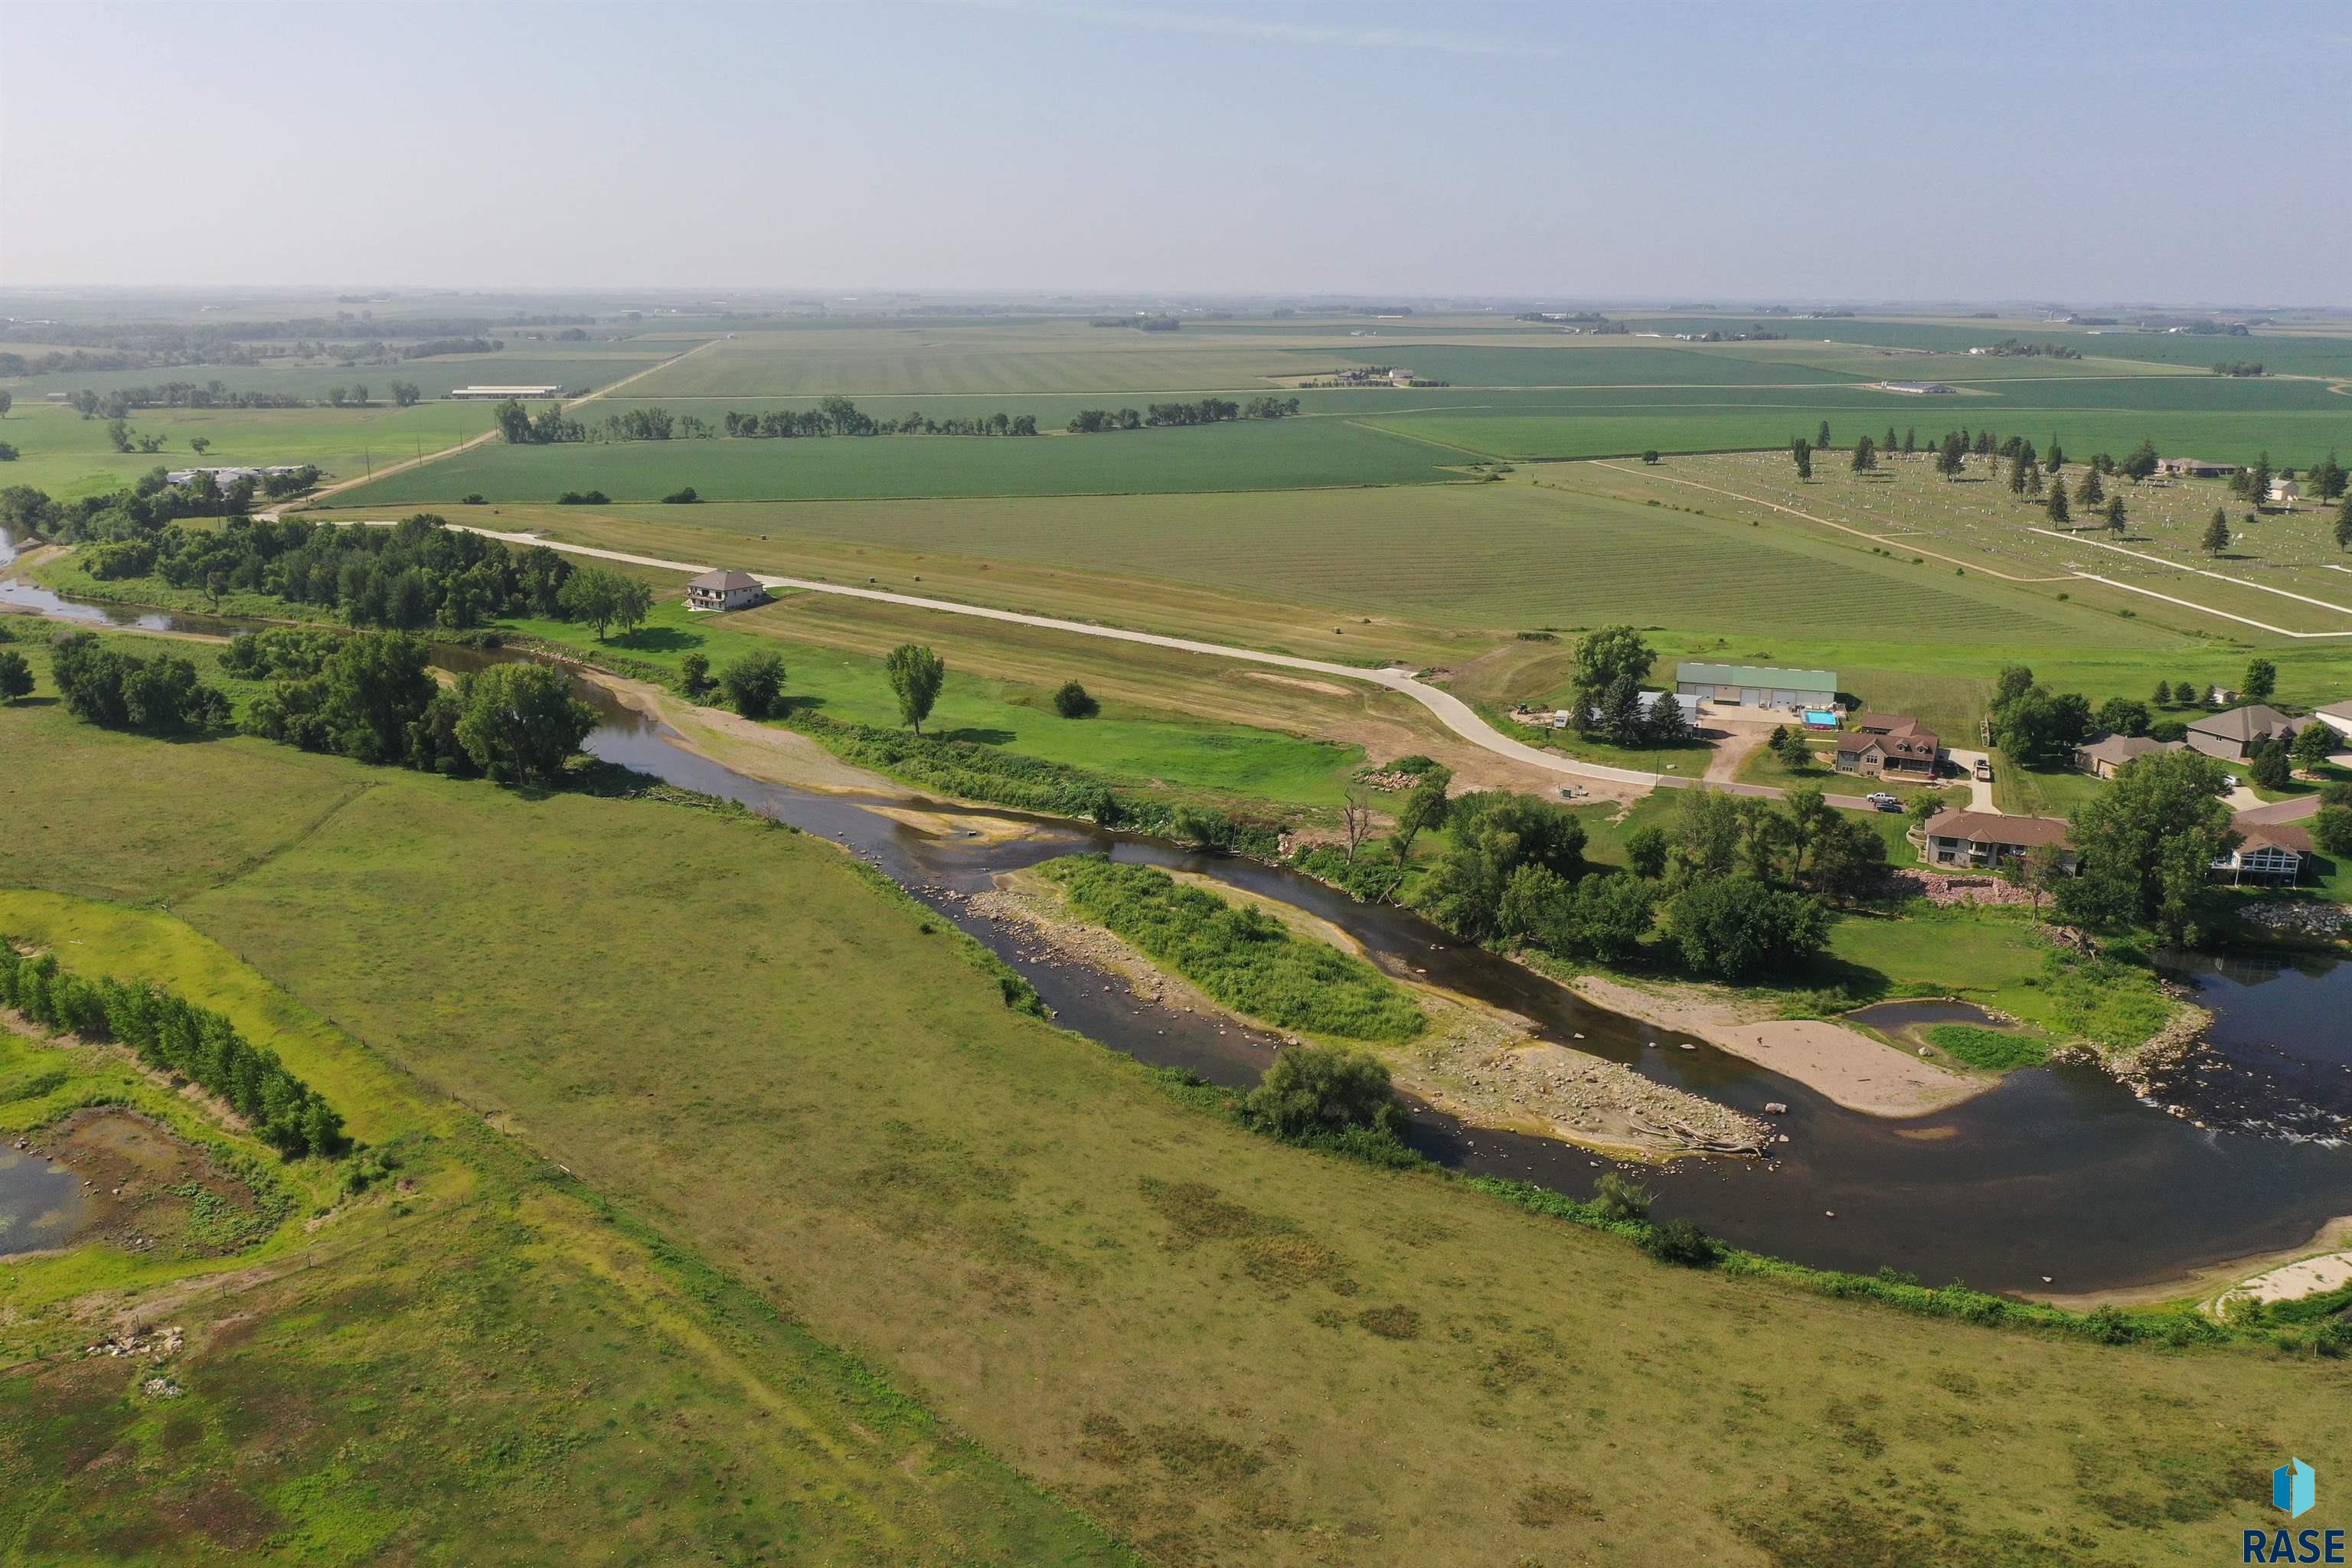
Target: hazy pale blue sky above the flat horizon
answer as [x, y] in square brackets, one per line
[1690, 152]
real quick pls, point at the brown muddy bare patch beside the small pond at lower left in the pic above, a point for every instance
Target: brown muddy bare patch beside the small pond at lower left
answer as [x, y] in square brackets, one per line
[149, 1191]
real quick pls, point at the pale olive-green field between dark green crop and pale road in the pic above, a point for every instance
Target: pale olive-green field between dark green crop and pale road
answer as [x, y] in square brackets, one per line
[1495, 558]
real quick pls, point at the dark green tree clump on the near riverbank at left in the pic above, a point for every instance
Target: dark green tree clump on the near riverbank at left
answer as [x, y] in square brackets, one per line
[368, 697]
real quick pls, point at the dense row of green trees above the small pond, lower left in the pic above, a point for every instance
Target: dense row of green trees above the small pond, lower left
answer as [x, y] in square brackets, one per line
[175, 1036]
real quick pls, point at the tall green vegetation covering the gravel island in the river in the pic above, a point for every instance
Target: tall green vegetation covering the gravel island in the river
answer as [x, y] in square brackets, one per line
[1241, 956]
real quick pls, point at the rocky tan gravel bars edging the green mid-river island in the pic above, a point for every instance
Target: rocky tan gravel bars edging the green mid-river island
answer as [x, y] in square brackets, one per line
[1476, 1064]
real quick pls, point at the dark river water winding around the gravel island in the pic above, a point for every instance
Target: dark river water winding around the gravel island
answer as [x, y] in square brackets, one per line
[2059, 1174]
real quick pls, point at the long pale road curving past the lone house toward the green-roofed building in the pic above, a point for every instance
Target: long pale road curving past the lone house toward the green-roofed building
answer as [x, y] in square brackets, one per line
[1450, 709]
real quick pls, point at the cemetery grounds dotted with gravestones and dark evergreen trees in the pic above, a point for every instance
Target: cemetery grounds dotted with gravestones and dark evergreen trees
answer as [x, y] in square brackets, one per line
[2283, 570]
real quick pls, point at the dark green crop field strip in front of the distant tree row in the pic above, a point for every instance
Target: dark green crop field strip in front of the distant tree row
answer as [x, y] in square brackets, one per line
[1229, 457]
